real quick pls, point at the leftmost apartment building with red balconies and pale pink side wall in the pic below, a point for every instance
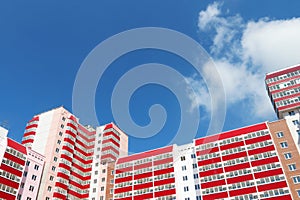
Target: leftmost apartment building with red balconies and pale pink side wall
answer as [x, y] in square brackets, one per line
[20, 170]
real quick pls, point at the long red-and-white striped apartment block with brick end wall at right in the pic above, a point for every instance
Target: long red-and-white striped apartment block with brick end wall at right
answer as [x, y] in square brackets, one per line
[247, 163]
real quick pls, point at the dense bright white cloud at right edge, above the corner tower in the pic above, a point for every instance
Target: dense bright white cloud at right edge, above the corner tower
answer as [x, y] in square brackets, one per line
[272, 44]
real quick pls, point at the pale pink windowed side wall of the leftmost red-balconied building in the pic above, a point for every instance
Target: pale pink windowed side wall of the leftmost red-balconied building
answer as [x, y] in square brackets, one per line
[32, 176]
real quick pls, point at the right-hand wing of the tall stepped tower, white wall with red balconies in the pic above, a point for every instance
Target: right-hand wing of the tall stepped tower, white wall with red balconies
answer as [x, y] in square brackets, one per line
[110, 143]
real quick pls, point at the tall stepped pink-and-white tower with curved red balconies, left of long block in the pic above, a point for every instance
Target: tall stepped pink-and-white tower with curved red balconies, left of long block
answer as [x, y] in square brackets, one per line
[75, 155]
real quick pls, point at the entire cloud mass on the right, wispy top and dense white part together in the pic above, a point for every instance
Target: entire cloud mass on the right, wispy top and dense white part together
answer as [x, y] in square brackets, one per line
[244, 52]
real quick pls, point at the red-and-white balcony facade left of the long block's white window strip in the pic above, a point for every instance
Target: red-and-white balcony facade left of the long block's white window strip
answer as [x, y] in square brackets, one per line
[147, 175]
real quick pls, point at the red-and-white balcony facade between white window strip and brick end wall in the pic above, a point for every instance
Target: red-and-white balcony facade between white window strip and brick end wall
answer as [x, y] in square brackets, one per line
[241, 164]
